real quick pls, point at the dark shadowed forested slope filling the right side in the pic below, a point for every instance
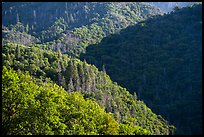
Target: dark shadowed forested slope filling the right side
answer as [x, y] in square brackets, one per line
[160, 59]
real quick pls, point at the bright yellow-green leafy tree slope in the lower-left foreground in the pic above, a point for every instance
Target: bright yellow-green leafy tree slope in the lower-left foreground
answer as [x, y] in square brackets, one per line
[33, 107]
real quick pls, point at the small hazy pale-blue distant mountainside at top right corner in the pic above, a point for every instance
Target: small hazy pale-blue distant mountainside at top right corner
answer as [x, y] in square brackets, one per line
[169, 6]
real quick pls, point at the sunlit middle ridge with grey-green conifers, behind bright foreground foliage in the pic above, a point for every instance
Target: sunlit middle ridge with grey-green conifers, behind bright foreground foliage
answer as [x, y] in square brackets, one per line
[74, 75]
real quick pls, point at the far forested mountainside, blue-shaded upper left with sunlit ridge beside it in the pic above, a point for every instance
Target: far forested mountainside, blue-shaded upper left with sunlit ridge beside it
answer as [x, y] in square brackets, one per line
[72, 26]
